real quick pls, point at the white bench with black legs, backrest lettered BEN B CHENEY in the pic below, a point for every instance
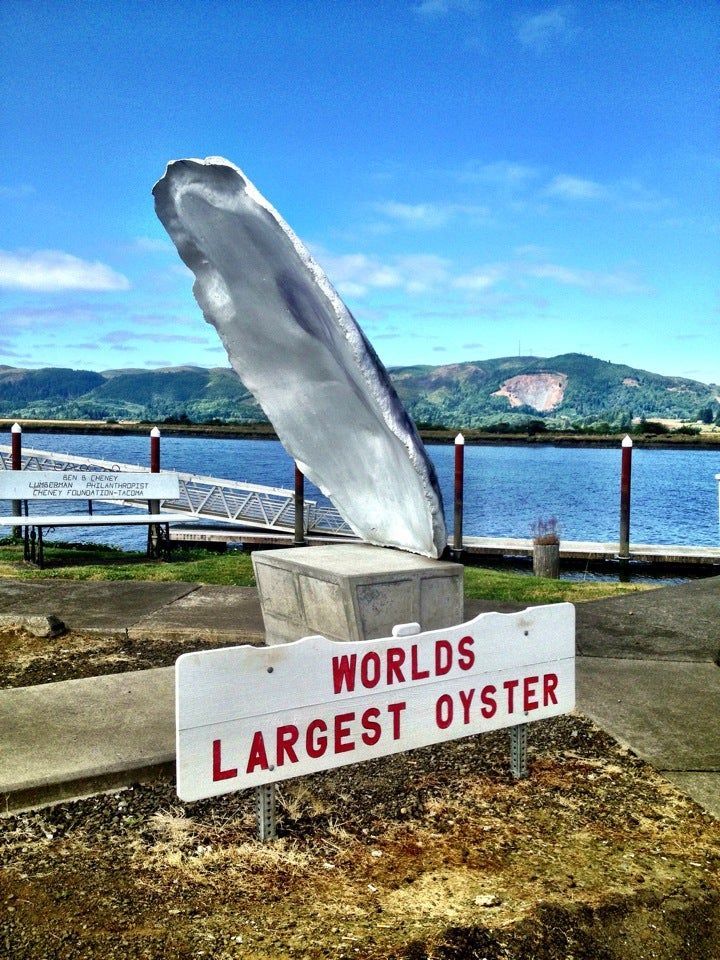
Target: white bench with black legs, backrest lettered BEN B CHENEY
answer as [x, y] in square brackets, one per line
[48, 486]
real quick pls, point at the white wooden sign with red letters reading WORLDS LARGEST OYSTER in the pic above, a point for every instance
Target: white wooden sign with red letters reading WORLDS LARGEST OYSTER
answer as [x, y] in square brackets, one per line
[249, 716]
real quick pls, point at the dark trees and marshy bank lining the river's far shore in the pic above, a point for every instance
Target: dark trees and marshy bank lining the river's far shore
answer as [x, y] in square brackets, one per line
[647, 435]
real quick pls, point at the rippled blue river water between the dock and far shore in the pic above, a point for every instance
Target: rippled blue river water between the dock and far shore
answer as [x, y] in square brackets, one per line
[507, 488]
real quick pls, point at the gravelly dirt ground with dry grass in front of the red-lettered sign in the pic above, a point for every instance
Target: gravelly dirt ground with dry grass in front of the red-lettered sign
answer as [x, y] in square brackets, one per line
[437, 853]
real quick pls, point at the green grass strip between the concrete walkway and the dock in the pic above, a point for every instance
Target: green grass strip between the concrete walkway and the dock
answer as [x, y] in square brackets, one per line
[93, 562]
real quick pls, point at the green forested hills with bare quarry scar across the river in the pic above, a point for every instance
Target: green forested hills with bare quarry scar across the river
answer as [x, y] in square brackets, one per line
[567, 389]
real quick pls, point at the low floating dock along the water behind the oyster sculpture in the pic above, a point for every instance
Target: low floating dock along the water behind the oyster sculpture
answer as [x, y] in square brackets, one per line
[477, 548]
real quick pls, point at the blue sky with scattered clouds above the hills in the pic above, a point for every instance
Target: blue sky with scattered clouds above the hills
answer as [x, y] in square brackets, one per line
[477, 178]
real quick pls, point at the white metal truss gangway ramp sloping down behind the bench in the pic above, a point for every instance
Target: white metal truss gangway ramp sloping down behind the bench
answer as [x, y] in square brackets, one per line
[229, 502]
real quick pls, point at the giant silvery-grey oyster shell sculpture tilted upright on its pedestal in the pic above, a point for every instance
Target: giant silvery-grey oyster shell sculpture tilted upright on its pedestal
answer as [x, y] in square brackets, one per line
[297, 348]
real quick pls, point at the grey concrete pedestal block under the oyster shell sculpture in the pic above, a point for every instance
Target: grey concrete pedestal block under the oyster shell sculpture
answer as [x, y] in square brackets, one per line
[354, 592]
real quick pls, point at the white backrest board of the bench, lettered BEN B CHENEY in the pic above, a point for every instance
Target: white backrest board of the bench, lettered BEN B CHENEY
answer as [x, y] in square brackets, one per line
[107, 485]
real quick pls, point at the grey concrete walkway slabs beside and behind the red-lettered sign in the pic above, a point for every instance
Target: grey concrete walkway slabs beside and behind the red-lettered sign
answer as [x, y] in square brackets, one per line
[646, 673]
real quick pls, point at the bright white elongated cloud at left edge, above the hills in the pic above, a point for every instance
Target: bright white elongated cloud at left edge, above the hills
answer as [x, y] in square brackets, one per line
[55, 270]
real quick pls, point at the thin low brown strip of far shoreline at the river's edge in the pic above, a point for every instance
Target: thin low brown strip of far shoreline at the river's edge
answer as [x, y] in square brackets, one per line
[262, 431]
